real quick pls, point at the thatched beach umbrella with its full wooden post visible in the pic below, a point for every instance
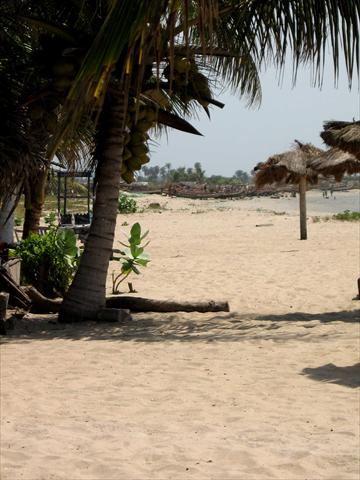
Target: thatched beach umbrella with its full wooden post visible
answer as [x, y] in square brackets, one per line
[291, 167]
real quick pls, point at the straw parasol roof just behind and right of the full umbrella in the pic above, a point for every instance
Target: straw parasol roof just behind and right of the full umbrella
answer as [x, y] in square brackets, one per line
[336, 162]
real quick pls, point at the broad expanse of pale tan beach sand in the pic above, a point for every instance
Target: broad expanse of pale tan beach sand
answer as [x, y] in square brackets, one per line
[269, 390]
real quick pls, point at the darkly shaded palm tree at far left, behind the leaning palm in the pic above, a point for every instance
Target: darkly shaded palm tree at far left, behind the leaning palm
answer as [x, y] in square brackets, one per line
[32, 82]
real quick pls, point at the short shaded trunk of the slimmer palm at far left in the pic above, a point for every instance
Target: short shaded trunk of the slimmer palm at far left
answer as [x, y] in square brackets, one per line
[34, 201]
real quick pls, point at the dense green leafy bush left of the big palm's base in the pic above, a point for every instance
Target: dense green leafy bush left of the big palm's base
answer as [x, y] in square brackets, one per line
[49, 261]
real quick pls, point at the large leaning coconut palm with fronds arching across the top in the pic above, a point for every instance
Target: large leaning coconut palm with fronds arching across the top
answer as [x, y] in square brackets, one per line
[232, 37]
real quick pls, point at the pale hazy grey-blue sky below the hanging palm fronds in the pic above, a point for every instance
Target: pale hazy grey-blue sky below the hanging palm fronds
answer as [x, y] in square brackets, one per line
[237, 137]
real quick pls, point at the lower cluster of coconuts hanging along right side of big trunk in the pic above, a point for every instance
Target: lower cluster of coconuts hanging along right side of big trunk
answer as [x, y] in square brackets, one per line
[139, 120]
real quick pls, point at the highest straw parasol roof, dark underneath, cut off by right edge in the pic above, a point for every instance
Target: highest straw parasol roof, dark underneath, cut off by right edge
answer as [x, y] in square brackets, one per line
[344, 135]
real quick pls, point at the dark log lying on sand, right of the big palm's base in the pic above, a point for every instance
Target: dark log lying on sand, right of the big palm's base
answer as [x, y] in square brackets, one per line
[139, 304]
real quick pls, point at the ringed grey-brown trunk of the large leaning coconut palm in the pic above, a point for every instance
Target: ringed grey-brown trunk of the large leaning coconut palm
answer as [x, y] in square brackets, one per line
[87, 292]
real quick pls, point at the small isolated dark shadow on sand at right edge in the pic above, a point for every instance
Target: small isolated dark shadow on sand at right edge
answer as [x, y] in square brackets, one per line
[330, 373]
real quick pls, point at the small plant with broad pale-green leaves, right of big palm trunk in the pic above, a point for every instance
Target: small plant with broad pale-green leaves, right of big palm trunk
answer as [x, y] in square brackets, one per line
[132, 258]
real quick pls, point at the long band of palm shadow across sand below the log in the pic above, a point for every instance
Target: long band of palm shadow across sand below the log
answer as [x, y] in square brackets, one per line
[187, 327]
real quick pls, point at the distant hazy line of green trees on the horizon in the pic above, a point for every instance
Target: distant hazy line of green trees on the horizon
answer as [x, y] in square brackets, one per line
[168, 174]
